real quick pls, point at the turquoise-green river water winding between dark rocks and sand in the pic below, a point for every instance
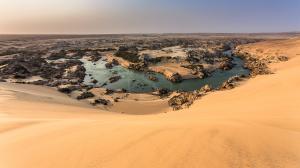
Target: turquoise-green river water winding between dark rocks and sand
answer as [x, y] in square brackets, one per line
[138, 82]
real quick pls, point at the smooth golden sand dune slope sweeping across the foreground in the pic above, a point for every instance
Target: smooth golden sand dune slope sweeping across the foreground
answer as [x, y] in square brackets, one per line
[254, 125]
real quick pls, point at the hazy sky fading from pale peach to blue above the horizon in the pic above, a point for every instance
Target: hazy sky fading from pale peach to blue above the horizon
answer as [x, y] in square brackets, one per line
[148, 16]
